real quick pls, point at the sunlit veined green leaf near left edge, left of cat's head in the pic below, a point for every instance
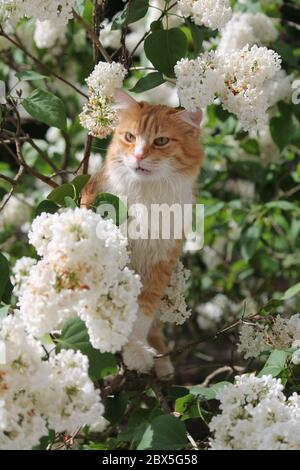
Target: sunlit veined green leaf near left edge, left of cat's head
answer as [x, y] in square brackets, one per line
[47, 108]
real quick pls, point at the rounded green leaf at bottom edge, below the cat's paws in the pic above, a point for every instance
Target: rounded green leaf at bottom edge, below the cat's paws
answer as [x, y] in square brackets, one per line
[164, 433]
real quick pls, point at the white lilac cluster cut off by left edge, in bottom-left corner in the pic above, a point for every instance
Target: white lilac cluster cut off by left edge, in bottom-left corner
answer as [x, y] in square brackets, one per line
[21, 424]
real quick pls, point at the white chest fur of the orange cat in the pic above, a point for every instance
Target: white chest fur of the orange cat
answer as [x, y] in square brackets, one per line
[146, 252]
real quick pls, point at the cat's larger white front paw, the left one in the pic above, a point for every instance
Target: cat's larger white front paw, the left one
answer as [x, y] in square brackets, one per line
[138, 356]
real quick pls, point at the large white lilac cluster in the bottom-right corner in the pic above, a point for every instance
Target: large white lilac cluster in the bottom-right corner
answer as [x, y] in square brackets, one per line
[256, 415]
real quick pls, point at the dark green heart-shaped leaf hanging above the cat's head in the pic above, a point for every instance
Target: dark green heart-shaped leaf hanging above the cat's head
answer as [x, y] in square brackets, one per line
[164, 48]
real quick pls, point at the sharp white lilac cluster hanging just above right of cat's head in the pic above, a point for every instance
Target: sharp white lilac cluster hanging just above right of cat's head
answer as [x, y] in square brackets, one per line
[239, 78]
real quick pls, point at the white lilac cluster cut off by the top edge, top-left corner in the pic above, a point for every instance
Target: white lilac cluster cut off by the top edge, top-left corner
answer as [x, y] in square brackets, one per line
[11, 11]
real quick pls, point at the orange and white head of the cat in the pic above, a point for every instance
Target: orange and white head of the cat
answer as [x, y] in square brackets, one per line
[154, 141]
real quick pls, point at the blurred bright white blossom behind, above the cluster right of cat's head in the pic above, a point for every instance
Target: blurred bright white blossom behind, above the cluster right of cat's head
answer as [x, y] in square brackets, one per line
[247, 29]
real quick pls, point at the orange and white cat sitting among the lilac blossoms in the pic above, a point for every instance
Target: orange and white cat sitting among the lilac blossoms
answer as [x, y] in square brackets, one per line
[154, 158]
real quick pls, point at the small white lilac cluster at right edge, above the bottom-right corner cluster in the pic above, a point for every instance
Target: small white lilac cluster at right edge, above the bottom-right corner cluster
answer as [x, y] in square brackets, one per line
[273, 333]
